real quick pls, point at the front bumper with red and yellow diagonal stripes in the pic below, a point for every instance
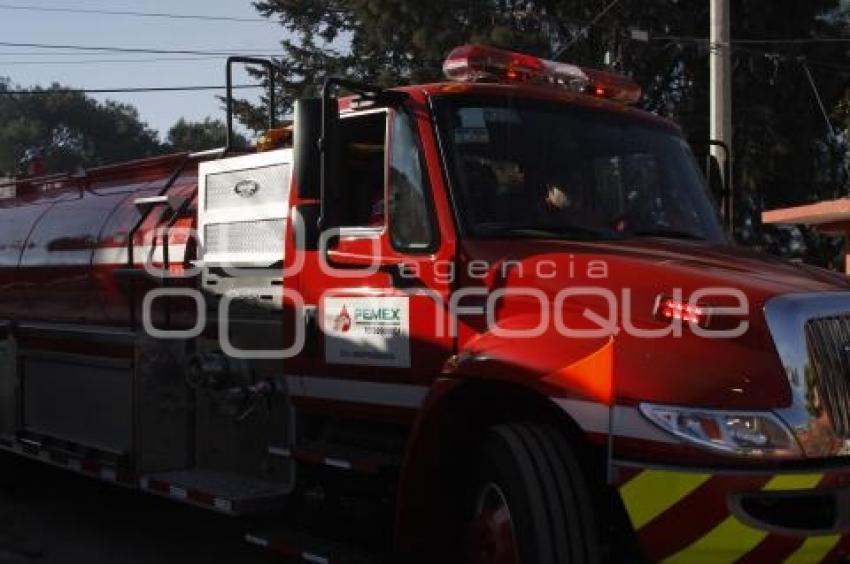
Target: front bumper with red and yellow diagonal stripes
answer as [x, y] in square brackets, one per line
[711, 516]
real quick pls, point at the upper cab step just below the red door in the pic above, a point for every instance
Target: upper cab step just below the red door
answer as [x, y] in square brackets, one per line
[339, 456]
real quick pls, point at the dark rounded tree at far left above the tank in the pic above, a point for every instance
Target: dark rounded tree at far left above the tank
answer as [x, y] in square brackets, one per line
[71, 129]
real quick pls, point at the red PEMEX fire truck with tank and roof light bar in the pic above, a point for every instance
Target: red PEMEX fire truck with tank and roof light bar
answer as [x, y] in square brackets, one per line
[490, 320]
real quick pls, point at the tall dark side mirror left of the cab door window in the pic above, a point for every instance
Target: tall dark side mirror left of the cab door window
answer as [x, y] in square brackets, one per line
[307, 153]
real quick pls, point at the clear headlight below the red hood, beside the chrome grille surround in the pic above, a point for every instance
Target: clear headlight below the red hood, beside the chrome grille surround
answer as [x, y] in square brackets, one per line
[757, 434]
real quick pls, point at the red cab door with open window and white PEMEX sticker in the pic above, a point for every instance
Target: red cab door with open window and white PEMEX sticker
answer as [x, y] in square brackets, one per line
[382, 286]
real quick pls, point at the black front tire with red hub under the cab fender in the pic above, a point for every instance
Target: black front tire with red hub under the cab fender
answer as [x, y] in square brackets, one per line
[530, 501]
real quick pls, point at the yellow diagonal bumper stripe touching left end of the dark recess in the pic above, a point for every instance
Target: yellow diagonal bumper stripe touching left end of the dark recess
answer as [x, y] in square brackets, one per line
[727, 542]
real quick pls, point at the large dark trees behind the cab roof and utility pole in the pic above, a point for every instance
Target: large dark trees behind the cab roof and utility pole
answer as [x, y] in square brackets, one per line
[779, 131]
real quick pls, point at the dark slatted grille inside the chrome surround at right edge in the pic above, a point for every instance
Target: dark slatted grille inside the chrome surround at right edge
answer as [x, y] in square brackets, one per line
[828, 344]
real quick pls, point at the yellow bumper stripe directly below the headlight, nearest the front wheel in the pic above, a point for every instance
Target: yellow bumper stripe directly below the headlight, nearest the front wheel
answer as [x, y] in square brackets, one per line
[652, 492]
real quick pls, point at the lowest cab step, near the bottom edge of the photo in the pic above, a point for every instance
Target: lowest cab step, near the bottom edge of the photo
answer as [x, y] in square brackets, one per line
[300, 547]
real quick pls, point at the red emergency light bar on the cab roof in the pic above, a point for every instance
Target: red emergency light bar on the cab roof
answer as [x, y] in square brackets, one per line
[474, 63]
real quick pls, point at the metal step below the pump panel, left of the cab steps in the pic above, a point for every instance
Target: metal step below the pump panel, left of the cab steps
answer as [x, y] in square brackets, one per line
[224, 492]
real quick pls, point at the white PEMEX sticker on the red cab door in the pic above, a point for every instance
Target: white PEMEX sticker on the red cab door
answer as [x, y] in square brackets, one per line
[372, 331]
